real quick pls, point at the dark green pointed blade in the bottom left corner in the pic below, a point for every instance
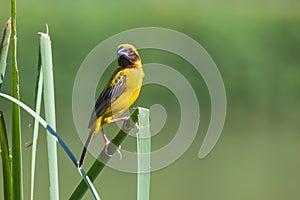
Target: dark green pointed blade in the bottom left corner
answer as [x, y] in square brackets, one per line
[7, 176]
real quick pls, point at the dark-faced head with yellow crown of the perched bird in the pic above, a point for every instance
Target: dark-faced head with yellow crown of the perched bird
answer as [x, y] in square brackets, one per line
[128, 56]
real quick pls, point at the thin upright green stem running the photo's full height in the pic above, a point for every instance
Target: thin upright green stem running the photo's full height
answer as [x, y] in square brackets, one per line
[16, 120]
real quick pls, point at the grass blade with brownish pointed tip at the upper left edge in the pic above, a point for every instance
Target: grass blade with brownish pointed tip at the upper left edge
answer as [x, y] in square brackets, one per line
[4, 45]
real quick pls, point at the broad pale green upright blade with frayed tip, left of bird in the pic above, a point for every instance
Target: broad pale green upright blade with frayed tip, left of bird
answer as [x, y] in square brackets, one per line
[49, 103]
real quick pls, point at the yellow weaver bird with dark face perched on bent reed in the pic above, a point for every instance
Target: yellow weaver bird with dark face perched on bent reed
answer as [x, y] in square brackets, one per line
[118, 95]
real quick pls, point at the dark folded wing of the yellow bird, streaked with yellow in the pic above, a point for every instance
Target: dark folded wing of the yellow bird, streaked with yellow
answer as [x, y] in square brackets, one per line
[113, 90]
